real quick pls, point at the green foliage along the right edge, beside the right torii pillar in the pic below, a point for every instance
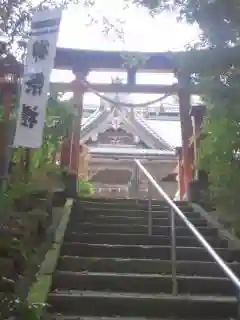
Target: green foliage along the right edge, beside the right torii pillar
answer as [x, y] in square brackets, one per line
[219, 151]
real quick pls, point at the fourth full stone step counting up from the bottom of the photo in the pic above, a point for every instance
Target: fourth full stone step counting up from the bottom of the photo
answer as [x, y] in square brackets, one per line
[150, 252]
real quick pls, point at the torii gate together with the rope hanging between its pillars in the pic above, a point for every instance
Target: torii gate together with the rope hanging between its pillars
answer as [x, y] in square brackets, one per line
[82, 62]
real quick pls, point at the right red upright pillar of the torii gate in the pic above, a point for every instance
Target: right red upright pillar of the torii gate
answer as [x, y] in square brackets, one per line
[186, 125]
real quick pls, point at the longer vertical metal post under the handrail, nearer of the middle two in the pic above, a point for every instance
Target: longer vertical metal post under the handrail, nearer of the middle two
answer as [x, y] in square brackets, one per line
[173, 252]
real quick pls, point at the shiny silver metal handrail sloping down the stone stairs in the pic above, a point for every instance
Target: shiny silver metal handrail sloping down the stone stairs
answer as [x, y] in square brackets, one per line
[228, 272]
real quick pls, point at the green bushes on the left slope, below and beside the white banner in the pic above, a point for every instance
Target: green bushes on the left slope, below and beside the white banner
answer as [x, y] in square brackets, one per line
[24, 228]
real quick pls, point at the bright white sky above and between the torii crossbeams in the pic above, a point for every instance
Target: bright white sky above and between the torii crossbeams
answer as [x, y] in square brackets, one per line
[140, 31]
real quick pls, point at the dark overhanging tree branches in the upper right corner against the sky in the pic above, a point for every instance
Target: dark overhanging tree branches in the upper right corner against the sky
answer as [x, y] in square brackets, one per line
[218, 19]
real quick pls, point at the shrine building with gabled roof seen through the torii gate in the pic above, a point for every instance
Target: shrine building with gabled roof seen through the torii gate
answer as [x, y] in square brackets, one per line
[113, 136]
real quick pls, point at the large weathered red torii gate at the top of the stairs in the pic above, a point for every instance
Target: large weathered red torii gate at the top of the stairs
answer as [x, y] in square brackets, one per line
[182, 64]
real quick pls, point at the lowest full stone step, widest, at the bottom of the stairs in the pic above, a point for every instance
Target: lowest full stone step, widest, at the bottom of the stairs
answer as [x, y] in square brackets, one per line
[101, 304]
